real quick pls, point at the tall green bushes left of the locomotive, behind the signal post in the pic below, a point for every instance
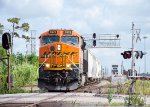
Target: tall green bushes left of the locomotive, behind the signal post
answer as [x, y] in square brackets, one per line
[23, 70]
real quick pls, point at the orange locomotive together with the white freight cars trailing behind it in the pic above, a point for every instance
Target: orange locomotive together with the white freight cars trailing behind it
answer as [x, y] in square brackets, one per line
[62, 61]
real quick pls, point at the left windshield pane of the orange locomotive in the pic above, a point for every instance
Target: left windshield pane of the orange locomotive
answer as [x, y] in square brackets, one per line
[49, 39]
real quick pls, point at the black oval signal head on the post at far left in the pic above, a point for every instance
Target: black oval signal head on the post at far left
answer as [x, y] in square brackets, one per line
[6, 41]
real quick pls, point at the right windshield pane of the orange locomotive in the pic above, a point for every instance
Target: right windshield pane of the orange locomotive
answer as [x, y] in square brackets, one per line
[71, 40]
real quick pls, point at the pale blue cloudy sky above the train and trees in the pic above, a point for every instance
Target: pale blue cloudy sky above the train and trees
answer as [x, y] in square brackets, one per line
[85, 17]
